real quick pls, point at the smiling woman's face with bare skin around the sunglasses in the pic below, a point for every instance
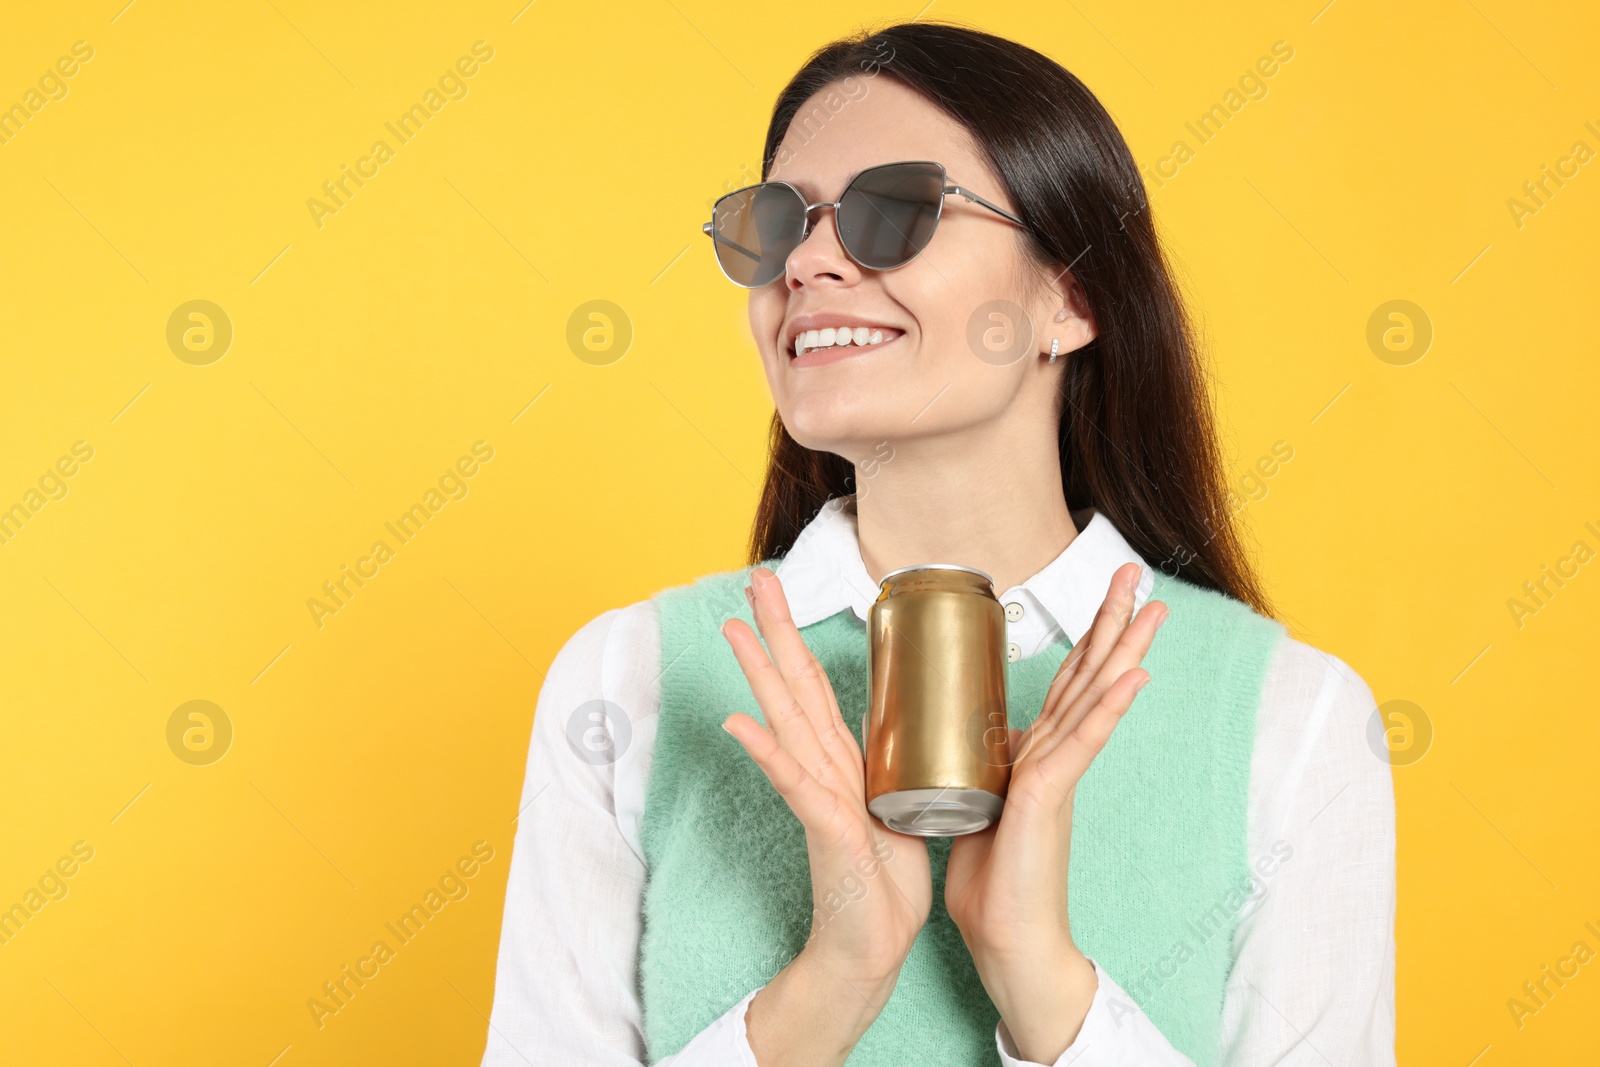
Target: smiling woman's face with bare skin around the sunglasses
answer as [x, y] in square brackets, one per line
[926, 378]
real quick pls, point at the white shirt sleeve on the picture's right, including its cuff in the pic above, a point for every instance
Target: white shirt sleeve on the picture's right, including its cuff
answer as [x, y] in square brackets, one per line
[1314, 951]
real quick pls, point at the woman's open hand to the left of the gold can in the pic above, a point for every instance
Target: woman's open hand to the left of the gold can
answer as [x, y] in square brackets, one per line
[871, 887]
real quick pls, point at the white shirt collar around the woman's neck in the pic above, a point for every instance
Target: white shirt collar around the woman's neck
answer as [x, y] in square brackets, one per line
[823, 572]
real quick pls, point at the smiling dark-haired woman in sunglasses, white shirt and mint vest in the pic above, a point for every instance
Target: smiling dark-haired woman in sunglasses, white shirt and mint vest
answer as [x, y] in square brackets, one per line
[977, 356]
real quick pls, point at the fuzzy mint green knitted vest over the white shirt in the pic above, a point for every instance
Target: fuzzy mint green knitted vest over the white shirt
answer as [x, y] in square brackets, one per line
[1158, 871]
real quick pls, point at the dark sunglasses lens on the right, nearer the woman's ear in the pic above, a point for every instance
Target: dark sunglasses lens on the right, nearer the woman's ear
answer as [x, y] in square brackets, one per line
[889, 214]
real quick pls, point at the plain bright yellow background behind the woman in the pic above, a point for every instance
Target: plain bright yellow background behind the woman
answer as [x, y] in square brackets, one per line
[428, 314]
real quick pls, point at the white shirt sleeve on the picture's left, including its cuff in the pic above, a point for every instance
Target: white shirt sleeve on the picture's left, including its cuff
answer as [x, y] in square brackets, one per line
[566, 989]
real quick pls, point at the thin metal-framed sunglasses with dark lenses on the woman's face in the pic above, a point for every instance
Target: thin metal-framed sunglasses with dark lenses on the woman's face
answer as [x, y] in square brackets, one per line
[886, 218]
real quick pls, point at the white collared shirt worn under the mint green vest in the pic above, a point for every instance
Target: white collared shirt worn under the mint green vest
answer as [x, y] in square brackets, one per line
[1313, 980]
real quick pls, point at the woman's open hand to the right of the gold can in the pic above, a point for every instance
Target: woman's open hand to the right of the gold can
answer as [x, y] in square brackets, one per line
[1007, 887]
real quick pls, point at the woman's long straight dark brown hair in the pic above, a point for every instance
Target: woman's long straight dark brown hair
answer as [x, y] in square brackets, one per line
[1137, 430]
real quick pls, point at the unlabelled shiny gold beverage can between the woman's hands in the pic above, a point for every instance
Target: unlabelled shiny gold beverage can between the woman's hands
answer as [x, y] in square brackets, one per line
[935, 738]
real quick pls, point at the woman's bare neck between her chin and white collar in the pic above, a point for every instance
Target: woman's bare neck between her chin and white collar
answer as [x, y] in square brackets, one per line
[988, 498]
